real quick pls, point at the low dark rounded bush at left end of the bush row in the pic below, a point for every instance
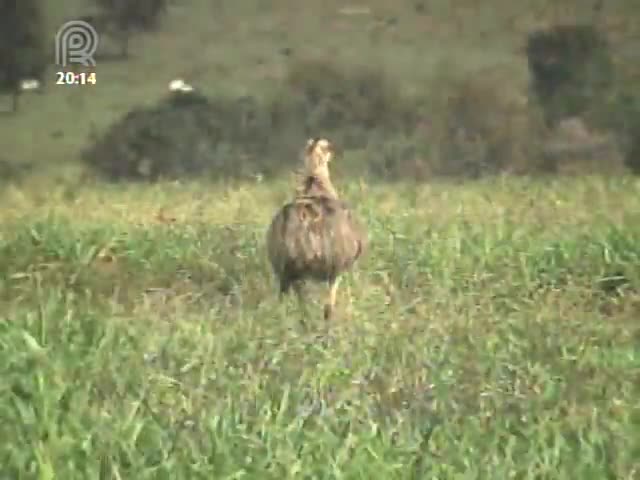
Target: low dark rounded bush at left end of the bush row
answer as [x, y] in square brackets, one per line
[184, 135]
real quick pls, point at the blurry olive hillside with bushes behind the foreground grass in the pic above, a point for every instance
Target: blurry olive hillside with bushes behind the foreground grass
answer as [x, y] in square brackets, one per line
[409, 91]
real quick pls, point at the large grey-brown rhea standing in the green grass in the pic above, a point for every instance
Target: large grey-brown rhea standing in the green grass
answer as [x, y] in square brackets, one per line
[315, 236]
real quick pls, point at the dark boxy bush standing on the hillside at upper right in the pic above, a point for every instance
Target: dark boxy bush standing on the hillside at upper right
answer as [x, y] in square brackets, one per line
[571, 69]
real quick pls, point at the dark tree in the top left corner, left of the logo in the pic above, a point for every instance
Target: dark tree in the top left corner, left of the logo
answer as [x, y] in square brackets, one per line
[23, 49]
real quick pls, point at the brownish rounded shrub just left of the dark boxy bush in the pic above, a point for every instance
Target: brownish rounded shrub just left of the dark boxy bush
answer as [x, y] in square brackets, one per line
[485, 125]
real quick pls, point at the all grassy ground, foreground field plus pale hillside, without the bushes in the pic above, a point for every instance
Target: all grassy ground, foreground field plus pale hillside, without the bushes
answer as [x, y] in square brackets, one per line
[491, 331]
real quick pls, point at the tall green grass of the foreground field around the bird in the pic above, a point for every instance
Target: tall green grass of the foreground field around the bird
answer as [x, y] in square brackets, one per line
[486, 334]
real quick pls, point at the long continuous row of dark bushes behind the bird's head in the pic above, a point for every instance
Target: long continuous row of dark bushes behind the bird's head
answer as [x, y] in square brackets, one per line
[480, 123]
